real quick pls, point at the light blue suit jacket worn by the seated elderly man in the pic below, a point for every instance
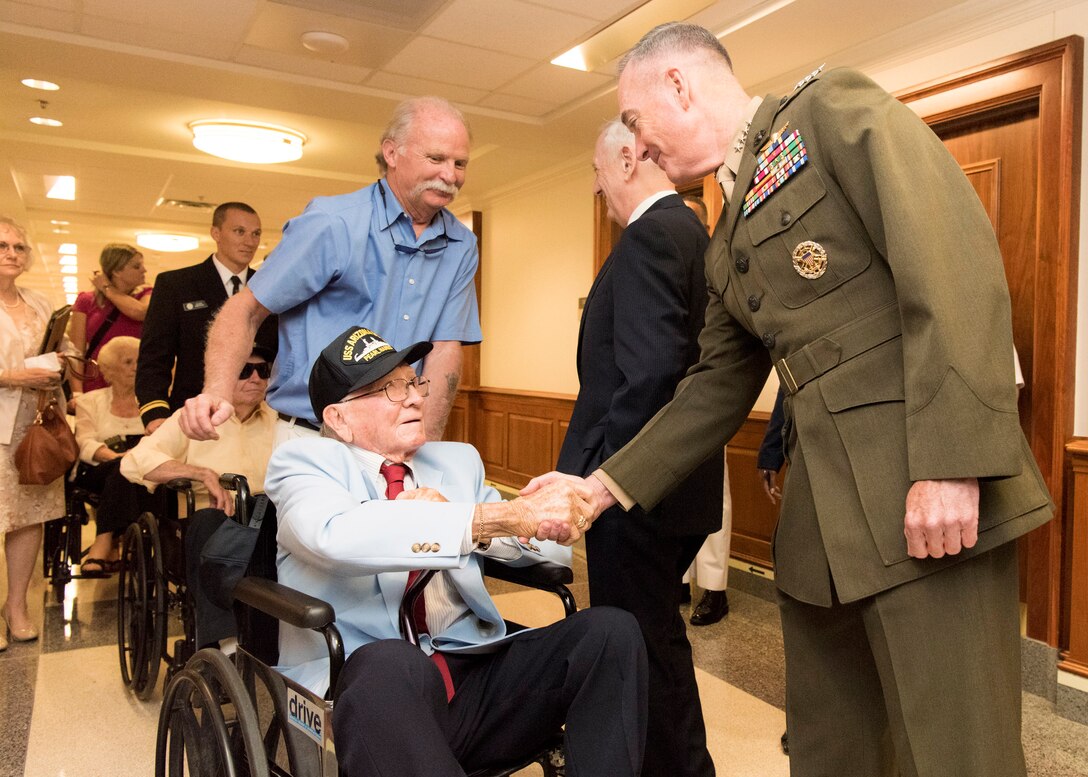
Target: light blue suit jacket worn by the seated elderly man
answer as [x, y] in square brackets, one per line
[341, 542]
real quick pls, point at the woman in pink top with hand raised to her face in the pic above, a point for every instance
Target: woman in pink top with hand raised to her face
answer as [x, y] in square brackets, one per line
[119, 304]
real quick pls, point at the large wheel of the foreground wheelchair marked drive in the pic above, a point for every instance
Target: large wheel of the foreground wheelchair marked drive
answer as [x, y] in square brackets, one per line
[208, 725]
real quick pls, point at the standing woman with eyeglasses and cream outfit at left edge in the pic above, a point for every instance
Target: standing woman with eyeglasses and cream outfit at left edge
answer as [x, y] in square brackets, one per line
[23, 509]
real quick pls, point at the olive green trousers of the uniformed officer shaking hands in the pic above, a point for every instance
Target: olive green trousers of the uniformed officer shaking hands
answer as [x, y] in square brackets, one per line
[922, 681]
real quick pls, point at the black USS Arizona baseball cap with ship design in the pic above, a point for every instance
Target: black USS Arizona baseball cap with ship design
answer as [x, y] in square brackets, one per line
[357, 357]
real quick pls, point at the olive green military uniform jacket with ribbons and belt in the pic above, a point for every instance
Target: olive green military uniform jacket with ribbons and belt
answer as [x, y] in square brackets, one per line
[899, 351]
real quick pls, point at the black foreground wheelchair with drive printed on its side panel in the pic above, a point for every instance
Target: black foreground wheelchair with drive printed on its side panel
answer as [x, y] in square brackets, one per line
[242, 718]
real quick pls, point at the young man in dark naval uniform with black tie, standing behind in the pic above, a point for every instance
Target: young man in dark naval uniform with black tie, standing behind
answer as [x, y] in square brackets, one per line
[174, 341]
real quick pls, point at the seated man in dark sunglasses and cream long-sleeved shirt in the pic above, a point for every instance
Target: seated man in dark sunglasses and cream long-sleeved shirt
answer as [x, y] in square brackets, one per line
[244, 446]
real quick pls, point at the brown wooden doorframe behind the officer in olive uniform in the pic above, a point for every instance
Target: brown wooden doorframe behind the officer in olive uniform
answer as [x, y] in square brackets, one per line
[1049, 76]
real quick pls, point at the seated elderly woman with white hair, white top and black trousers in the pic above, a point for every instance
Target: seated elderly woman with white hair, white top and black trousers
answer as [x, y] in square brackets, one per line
[107, 426]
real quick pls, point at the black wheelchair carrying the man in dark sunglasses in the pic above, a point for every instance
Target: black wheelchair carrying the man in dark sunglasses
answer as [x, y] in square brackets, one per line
[154, 586]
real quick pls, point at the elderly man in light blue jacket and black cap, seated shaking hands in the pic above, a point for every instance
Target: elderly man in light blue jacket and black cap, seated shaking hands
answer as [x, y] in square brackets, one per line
[368, 507]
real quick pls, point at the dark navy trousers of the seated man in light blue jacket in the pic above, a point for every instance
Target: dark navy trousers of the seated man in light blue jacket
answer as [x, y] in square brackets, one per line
[589, 672]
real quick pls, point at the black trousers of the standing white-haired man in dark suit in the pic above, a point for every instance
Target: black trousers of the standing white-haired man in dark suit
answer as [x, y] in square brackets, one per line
[635, 568]
